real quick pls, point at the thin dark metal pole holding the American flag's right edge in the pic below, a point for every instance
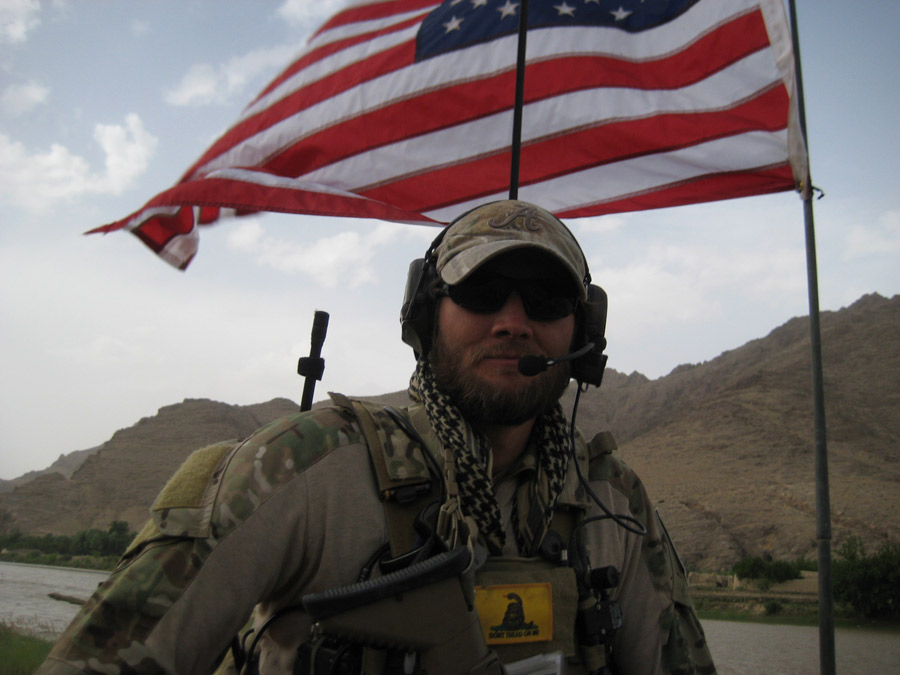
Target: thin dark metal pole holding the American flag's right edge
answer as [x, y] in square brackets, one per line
[823, 500]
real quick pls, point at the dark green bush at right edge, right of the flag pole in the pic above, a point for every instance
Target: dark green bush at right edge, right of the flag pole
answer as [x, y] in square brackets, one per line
[869, 584]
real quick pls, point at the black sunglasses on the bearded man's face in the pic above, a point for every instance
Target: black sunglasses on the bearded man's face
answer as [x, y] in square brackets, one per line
[543, 300]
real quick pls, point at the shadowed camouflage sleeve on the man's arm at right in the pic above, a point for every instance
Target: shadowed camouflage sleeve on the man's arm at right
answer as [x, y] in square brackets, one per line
[655, 563]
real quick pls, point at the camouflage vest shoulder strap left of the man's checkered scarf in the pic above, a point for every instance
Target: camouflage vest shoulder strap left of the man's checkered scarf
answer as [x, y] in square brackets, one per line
[404, 483]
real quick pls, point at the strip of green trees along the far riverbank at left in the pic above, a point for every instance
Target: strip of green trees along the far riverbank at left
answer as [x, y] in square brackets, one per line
[89, 548]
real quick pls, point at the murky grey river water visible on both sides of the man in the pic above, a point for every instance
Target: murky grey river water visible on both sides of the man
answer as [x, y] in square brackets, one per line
[737, 648]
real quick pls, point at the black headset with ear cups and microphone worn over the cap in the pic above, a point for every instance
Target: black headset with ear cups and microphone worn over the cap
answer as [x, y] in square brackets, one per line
[417, 314]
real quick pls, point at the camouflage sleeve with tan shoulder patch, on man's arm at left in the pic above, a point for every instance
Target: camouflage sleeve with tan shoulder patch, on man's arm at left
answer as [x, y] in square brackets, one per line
[213, 493]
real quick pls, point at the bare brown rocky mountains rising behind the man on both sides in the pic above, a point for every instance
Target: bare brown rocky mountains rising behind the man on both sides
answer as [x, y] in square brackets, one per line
[725, 447]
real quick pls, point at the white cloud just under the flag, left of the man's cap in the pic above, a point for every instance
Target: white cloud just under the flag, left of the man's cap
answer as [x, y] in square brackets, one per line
[345, 257]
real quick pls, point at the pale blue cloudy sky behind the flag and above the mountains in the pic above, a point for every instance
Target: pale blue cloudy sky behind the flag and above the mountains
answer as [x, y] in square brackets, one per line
[103, 104]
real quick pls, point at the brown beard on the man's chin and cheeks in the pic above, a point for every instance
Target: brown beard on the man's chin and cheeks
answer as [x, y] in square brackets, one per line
[481, 402]
